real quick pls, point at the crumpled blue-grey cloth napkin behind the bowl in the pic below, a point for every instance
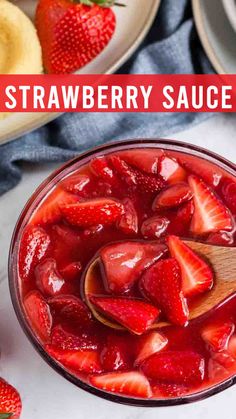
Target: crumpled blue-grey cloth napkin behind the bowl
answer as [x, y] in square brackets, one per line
[172, 46]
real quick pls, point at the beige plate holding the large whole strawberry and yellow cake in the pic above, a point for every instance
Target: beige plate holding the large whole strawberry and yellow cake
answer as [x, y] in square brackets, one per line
[133, 23]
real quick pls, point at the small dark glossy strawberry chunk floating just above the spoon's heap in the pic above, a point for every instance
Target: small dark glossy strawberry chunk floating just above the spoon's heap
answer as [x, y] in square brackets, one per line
[154, 227]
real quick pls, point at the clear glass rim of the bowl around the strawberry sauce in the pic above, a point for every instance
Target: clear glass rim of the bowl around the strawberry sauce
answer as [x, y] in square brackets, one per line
[44, 188]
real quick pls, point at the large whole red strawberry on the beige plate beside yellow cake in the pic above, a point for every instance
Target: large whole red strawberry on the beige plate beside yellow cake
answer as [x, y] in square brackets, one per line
[73, 33]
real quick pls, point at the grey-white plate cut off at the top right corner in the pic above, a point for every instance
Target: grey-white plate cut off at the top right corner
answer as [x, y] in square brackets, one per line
[216, 33]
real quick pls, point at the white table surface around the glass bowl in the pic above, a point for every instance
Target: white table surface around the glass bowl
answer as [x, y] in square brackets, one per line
[45, 394]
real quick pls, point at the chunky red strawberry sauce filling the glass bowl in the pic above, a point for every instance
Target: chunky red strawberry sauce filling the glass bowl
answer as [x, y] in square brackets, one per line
[126, 215]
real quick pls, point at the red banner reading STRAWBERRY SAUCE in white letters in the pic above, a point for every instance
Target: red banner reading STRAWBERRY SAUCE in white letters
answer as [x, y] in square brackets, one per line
[118, 93]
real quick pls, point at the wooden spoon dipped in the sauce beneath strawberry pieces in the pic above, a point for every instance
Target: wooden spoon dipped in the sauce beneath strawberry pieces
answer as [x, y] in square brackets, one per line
[222, 260]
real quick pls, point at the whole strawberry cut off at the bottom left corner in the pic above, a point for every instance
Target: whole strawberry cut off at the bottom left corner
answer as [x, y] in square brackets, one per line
[10, 402]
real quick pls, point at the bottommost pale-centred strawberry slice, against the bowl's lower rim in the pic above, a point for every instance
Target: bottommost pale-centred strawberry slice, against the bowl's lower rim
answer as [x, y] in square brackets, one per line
[130, 383]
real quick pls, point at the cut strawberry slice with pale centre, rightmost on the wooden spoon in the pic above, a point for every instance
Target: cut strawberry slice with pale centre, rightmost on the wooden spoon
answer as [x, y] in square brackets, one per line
[197, 276]
